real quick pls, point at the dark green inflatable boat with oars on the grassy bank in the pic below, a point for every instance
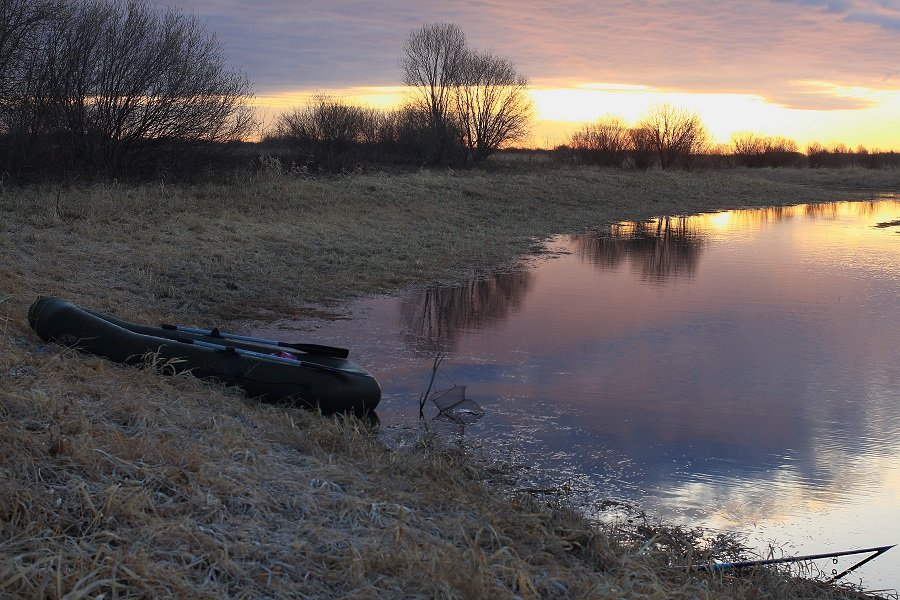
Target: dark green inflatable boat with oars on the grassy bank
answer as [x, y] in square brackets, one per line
[309, 375]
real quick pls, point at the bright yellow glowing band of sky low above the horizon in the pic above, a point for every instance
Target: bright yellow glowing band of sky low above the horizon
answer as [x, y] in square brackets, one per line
[560, 111]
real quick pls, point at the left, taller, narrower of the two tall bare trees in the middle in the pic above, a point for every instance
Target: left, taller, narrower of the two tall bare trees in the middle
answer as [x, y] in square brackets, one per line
[432, 59]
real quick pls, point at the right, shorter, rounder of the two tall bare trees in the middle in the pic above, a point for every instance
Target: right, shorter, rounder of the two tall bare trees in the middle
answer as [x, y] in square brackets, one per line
[492, 104]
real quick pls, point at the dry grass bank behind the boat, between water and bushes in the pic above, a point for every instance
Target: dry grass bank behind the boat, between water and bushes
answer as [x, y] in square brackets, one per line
[275, 245]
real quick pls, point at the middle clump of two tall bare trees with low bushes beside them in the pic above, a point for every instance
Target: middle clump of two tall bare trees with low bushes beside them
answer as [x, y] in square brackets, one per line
[463, 106]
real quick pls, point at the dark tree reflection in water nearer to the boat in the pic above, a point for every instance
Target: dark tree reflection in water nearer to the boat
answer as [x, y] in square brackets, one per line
[433, 318]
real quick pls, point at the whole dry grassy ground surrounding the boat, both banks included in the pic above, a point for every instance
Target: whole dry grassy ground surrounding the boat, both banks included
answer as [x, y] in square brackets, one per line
[118, 483]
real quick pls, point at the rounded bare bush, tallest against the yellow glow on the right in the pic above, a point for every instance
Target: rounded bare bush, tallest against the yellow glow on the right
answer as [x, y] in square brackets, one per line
[674, 134]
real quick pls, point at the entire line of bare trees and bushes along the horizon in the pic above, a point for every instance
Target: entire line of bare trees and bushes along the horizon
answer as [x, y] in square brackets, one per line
[109, 88]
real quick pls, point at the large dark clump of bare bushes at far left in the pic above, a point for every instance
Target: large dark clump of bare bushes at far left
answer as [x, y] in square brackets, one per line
[110, 85]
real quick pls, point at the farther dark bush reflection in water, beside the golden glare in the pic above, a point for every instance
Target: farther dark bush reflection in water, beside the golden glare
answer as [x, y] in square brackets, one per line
[658, 249]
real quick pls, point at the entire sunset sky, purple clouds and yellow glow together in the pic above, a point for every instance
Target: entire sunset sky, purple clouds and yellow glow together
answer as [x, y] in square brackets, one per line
[811, 70]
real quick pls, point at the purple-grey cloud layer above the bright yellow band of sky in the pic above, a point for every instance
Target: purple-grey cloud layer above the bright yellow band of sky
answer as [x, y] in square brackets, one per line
[680, 45]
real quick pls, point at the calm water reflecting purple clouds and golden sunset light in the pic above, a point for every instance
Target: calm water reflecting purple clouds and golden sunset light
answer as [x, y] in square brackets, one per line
[738, 371]
